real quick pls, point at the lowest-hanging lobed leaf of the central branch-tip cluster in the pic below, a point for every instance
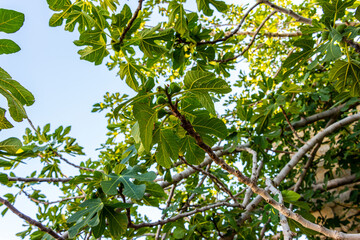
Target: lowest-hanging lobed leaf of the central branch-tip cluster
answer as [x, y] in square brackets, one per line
[168, 147]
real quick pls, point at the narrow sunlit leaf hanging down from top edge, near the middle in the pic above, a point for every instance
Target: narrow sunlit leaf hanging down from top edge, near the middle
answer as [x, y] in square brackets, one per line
[178, 15]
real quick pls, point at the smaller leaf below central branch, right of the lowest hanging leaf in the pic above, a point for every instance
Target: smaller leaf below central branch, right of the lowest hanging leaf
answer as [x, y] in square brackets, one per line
[193, 153]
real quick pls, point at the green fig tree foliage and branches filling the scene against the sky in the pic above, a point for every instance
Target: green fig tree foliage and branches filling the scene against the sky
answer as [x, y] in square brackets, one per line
[202, 138]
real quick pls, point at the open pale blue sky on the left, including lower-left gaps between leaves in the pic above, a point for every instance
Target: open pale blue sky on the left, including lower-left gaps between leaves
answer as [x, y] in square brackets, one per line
[65, 88]
